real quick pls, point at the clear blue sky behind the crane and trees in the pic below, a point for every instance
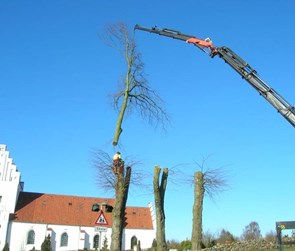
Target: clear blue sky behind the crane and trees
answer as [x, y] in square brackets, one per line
[56, 74]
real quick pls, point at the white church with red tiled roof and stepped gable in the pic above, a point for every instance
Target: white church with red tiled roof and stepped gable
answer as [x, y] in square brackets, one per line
[73, 222]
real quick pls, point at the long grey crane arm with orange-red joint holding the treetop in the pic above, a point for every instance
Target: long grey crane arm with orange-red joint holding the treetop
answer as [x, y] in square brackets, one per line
[237, 63]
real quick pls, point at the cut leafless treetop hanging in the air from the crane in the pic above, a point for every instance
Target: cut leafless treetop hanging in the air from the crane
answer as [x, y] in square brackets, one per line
[133, 93]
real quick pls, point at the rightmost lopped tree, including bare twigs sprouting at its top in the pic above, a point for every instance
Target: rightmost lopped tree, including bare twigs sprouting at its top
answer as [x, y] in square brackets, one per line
[206, 182]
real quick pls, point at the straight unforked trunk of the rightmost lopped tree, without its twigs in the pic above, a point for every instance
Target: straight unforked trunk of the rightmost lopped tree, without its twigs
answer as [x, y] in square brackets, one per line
[197, 211]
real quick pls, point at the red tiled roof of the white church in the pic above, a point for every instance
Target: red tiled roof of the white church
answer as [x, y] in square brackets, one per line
[73, 210]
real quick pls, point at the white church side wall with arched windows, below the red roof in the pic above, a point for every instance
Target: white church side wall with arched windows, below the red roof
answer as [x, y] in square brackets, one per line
[78, 237]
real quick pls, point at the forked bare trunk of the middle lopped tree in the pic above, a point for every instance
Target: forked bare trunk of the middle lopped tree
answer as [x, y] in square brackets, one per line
[159, 193]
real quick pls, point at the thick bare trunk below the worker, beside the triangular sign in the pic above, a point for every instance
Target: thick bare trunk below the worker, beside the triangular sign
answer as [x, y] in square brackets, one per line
[118, 214]
